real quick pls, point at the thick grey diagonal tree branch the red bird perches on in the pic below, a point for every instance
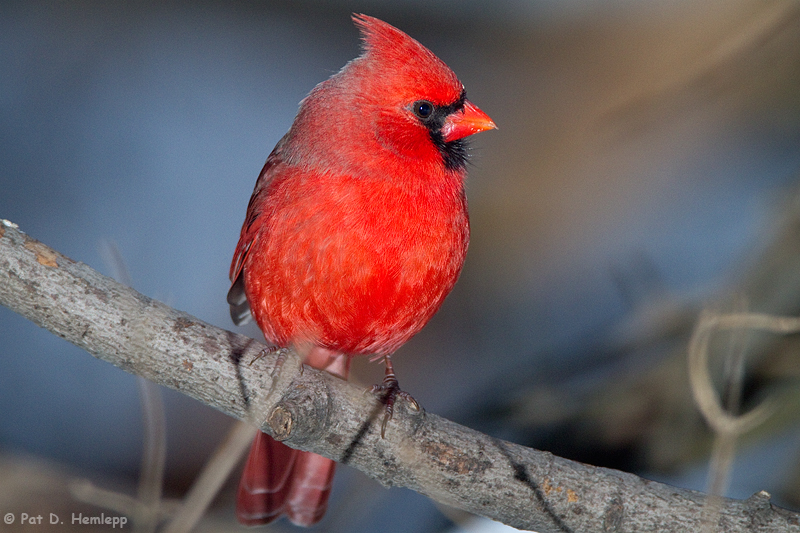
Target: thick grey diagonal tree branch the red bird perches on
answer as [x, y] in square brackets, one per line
[314, 411]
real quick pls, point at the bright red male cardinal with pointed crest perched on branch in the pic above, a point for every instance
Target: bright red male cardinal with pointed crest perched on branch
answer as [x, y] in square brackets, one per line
[356, 231]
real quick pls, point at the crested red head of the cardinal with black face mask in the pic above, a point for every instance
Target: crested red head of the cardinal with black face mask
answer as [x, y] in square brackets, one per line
[396, 106]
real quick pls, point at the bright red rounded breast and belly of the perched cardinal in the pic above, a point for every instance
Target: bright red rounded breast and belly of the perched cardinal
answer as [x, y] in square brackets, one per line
[355, 265]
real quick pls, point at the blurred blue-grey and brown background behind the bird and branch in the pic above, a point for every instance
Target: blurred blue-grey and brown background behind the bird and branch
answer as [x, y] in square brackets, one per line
[646, 167]
